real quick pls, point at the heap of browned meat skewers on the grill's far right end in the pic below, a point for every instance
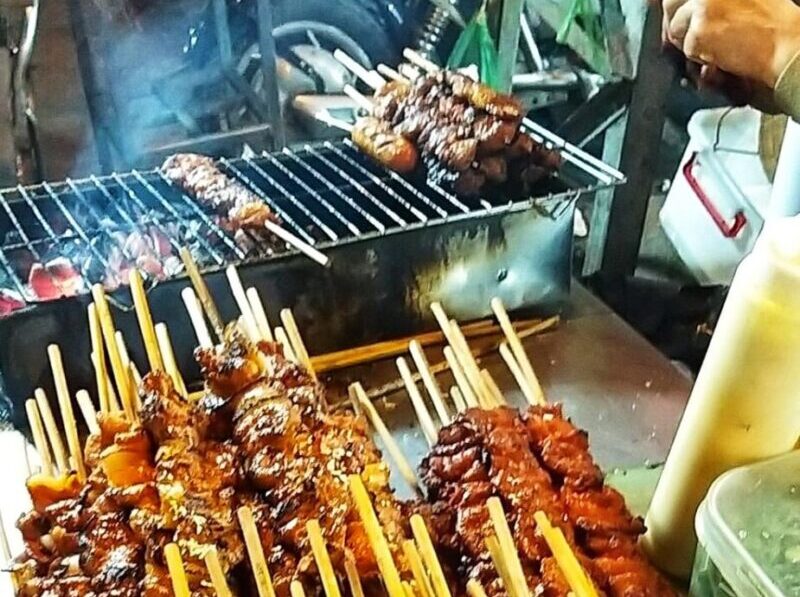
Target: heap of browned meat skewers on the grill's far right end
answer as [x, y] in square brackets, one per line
[465, 136]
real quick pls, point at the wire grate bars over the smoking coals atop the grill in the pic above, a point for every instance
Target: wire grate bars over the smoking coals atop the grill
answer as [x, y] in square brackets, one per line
[96, 228]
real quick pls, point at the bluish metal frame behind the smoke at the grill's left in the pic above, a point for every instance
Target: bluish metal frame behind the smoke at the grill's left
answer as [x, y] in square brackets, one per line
[114, 148]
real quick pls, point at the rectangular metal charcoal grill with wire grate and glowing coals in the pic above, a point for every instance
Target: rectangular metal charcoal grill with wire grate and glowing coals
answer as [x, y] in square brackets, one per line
[395, 244]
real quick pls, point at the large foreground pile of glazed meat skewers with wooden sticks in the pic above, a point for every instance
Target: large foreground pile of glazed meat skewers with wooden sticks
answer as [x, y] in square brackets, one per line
[254, 486]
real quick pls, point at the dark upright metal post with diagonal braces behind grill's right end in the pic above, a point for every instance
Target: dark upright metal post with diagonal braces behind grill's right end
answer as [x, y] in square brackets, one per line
[629, 113]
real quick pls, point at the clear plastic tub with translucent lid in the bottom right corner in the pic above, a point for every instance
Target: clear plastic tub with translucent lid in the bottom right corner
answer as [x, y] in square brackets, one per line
[749, 525]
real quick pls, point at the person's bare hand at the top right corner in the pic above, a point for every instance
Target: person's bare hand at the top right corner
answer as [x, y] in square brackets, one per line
[752, 39]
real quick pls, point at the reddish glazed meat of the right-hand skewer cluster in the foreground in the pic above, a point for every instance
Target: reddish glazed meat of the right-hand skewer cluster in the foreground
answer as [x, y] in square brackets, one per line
[534, 461]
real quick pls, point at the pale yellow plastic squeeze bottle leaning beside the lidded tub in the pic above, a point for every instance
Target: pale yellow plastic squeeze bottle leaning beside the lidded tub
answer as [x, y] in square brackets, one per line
[745, 404]
